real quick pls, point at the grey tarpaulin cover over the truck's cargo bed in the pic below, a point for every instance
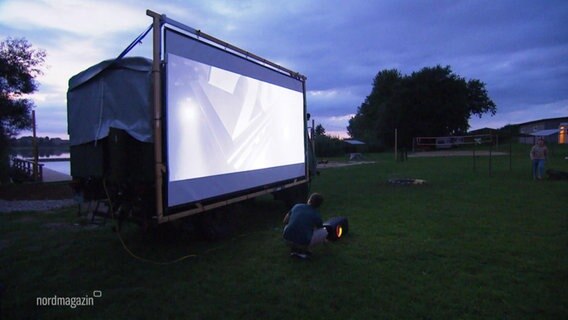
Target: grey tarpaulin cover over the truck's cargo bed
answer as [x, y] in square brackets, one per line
[111, 94]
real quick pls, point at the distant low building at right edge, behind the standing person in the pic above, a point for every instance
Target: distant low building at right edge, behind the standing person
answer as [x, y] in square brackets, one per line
[552, 130]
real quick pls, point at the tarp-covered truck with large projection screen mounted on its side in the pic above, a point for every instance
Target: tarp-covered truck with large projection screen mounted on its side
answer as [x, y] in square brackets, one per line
[200, 126]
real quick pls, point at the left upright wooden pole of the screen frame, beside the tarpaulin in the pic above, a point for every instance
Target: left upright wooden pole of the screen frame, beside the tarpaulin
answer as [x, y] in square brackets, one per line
[157, 104]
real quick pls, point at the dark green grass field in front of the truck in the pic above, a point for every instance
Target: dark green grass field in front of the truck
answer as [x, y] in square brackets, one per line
[467, 245]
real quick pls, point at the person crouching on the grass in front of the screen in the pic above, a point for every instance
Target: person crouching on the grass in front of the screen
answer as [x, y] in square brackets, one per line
[304, 227]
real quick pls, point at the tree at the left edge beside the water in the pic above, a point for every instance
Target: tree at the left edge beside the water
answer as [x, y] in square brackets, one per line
[19, 66]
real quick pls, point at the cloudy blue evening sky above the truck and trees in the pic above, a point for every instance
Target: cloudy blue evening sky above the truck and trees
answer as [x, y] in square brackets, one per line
[518, 48]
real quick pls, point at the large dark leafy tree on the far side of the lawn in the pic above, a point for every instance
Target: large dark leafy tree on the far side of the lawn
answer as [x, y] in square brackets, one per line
[430, 102]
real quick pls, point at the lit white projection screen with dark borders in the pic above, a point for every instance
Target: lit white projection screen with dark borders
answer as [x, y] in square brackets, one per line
[232, 125]
